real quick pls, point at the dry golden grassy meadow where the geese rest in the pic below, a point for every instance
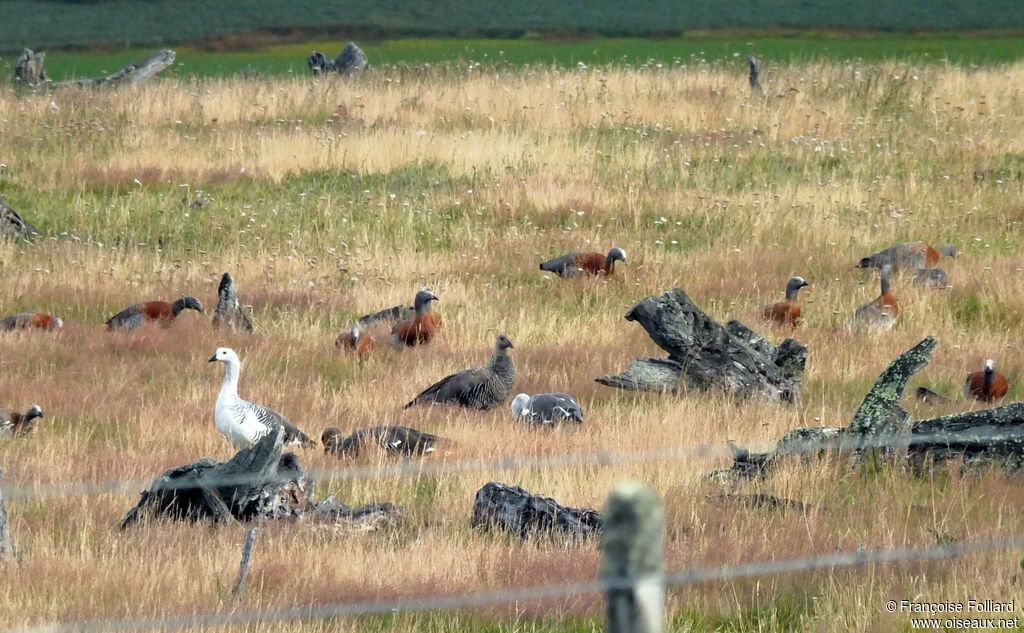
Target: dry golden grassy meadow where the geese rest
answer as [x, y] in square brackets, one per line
[330, 199]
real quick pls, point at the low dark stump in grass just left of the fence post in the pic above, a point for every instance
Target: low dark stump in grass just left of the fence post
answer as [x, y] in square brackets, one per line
[515, 511]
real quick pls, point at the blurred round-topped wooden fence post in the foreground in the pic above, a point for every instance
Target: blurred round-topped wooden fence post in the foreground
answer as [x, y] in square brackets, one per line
[633, 569]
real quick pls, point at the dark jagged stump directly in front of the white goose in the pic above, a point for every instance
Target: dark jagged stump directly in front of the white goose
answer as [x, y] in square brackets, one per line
[258, 483]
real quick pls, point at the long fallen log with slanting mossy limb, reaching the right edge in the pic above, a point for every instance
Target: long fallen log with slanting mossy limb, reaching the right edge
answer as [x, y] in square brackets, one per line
[990, 438]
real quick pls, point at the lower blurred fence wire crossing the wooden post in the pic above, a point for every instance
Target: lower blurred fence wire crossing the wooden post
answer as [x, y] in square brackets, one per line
[528, 595]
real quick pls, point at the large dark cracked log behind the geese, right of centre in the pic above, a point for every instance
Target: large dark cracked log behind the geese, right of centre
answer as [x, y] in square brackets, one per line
[705, 355]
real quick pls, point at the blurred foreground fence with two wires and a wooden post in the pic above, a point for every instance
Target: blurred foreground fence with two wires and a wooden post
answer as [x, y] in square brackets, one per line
[638, 582]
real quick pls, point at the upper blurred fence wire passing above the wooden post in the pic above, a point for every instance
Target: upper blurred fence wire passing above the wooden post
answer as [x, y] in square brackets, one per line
[418, 468]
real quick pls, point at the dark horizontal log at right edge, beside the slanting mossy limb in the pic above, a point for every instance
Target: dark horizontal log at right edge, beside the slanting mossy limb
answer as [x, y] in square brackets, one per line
[988, 438]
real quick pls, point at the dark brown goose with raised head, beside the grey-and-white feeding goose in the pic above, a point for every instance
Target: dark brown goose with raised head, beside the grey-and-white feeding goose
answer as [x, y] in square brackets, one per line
[483, 388]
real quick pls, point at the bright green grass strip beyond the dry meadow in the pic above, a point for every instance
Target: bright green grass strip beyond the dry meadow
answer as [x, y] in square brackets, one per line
[286, 59]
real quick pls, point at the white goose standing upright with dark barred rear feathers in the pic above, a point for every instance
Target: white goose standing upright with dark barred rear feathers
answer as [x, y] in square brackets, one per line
[242, 423]
